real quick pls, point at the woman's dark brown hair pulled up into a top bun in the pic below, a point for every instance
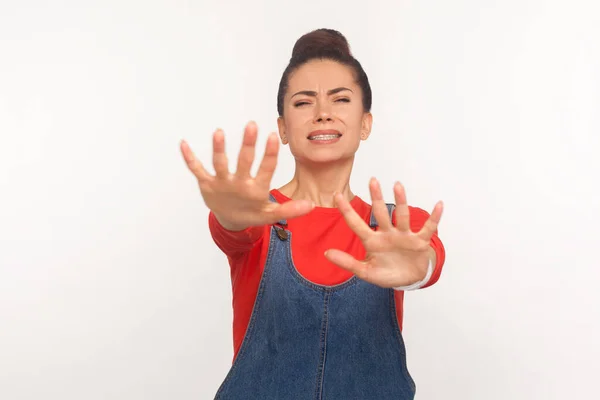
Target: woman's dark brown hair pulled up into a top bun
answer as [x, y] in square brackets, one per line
[324, 44]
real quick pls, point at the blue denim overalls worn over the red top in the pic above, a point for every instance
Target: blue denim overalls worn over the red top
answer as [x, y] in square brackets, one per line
[315, 342]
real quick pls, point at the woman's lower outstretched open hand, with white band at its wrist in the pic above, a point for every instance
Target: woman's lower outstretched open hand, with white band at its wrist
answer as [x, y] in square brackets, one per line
[395, 256]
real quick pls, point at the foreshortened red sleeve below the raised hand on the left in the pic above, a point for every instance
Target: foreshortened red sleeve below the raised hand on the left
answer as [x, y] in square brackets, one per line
[233, 243]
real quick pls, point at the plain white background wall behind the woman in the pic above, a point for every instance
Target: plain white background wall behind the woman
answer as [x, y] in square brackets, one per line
[110, 284]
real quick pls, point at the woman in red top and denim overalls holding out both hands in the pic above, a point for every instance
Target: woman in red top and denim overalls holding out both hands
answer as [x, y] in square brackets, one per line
[318, 275]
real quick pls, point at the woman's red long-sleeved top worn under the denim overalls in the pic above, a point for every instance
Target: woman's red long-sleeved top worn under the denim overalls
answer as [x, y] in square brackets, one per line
[321, 229]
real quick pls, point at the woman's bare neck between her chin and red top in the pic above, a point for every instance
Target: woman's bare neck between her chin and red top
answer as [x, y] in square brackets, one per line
[319, 182]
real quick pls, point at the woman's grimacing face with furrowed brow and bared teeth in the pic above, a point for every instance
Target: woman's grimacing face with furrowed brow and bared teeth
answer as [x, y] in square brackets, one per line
[323, 116]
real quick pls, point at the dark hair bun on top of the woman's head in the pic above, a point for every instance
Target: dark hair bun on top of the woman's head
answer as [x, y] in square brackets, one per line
[321, 41]
